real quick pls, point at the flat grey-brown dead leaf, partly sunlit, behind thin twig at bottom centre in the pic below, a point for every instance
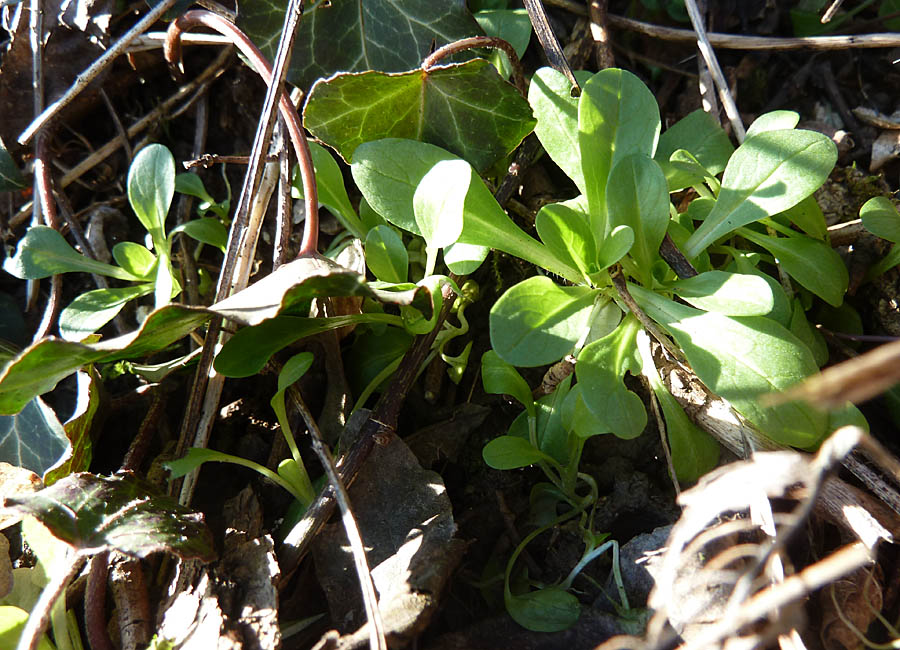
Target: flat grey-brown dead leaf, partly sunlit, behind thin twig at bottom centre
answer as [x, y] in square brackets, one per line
[406, 521]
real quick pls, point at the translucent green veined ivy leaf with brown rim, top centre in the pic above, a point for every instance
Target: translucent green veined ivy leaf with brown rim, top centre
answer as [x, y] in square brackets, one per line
[466, 108]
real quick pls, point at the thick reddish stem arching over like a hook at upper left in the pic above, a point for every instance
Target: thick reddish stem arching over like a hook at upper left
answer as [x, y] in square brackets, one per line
[172, 51]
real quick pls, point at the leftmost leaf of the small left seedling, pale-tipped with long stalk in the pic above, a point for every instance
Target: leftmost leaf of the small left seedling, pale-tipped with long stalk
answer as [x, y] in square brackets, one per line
[43, 252]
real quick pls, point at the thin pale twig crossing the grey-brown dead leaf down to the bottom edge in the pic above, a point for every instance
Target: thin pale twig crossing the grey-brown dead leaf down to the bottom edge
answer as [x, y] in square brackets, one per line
[370, 600]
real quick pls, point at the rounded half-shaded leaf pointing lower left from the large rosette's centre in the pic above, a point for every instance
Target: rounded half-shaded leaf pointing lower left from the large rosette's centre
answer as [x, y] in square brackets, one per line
[537, 322]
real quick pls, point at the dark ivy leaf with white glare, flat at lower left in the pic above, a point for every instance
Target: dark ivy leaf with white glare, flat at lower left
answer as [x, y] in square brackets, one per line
[122, 513]
